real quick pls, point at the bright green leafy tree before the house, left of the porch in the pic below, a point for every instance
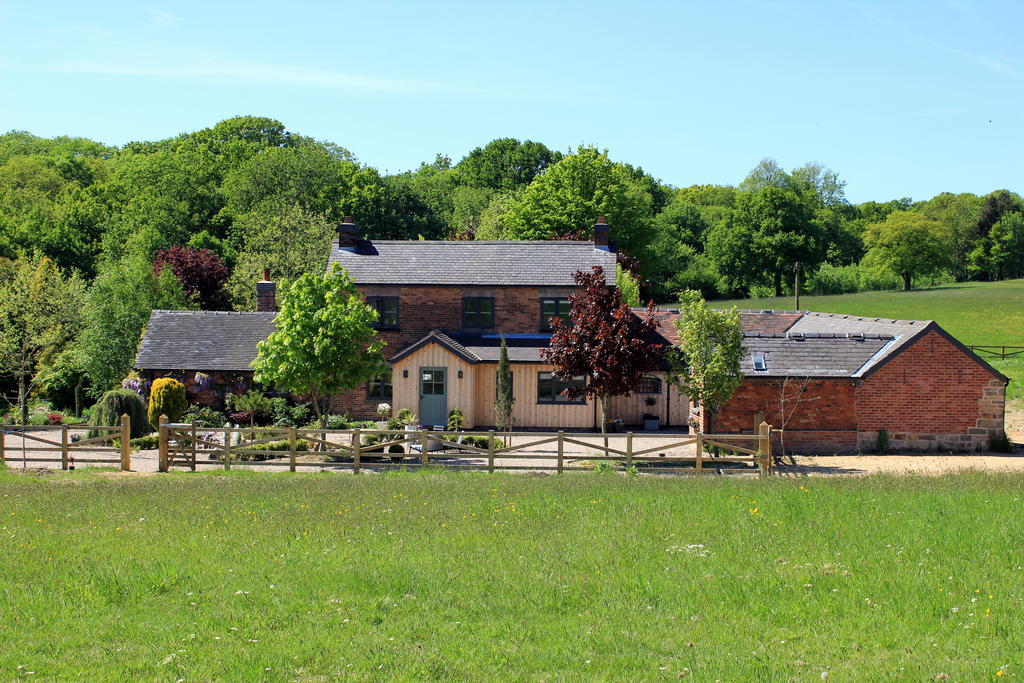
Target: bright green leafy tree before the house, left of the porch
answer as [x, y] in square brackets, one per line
[325, 341]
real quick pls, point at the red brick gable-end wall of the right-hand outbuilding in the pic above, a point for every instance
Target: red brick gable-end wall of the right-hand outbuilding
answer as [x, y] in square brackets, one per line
[931, 397]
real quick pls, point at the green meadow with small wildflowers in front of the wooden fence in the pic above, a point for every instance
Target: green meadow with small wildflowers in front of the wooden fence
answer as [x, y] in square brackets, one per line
[468, 576]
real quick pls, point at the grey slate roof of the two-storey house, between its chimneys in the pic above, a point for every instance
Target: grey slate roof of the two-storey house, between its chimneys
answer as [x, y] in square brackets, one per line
[476, 264]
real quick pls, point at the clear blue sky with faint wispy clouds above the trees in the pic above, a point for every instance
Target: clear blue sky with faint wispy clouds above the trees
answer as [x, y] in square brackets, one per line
[902, 99]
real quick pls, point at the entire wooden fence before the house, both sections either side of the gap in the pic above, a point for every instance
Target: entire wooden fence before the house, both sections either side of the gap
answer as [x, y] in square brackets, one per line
[192, 447]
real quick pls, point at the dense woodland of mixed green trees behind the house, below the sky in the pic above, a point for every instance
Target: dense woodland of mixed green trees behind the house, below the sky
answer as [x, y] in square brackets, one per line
[103, 235]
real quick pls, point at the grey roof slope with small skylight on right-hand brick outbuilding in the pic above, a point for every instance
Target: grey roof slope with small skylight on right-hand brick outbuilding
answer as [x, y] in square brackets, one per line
[825, 356]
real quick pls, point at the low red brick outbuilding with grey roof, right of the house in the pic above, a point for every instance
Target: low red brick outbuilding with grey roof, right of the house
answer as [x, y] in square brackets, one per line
[834, 382]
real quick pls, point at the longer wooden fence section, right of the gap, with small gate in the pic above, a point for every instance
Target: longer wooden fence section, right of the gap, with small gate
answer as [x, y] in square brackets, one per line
[184, 445]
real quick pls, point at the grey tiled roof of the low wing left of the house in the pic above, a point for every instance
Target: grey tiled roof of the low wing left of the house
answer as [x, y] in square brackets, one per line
[202, 340]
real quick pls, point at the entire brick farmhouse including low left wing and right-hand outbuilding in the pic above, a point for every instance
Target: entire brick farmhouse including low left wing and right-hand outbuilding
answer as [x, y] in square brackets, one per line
[834, 382]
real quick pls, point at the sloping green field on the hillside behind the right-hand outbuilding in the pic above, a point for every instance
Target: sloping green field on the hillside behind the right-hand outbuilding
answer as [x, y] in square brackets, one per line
[982, 314]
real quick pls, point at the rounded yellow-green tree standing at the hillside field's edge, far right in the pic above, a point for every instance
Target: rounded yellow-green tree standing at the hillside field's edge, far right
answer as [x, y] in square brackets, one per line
[910, 245]
